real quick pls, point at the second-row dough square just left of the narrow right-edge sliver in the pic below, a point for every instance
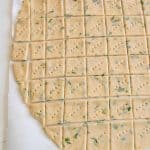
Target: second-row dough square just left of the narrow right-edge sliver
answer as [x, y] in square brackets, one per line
[134, 25]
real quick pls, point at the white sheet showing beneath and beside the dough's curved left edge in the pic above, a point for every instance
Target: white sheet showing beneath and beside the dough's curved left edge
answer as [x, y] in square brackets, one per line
[24, 133]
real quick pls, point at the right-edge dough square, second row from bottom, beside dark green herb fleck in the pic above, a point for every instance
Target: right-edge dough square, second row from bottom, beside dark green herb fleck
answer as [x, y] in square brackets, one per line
[141, 107]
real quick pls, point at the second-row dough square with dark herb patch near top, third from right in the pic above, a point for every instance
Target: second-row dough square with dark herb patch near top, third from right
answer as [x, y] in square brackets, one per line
[115, 25]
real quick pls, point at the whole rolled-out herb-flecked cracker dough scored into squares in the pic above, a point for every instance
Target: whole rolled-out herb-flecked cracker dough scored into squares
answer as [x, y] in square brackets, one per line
[83, 71]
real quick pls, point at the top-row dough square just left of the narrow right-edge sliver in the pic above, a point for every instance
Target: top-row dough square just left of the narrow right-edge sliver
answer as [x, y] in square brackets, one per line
[132, 7]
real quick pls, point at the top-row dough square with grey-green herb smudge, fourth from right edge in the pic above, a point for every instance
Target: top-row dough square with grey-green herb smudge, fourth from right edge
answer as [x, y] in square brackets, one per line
[94, 7]
